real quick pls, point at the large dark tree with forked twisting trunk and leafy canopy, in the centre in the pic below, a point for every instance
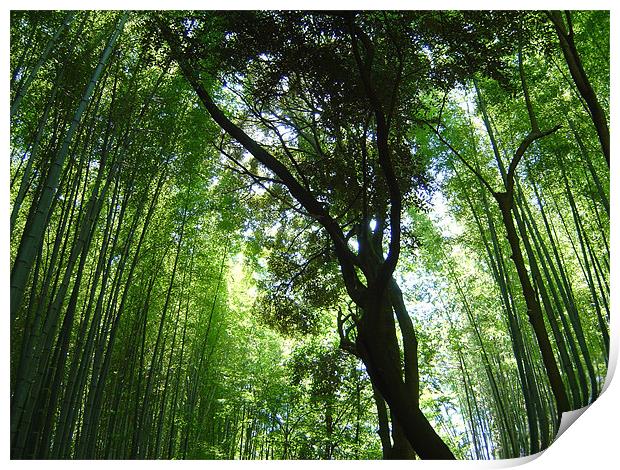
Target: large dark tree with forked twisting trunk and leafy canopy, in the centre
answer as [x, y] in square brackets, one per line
[327, 104]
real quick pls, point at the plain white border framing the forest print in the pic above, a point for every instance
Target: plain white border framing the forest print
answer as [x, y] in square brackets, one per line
[590, 444]
